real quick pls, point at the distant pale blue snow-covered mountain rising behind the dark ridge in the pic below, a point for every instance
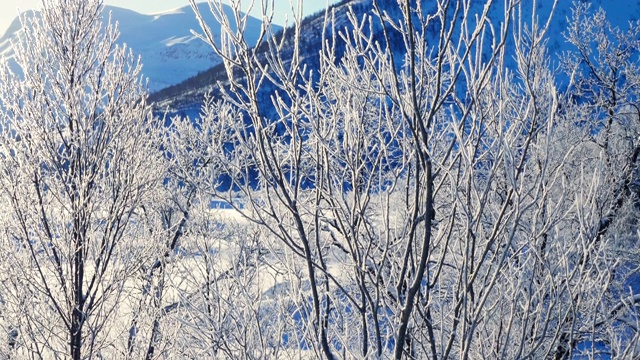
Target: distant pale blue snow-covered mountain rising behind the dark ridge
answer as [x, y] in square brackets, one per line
[170, 52]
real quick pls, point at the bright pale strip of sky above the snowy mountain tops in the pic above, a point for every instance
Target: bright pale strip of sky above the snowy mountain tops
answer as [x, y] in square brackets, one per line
[9, 8]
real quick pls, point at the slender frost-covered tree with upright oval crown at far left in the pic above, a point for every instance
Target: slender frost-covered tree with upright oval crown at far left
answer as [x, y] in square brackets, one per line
[80, 165]
